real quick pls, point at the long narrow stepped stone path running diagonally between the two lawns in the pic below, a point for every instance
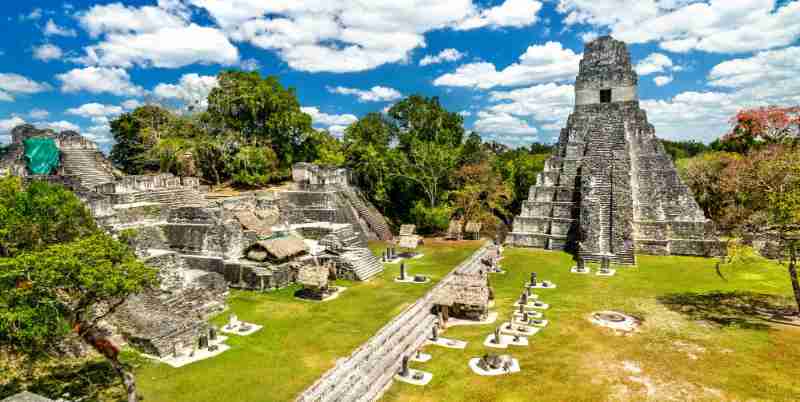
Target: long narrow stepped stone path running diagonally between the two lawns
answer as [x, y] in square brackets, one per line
[368, 372]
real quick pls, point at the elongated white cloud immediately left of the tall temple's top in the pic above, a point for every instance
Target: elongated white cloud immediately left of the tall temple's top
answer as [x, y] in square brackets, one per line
[539, 63]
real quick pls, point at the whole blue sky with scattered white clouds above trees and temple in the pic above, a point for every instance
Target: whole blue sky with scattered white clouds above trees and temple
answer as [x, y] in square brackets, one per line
[507, 66]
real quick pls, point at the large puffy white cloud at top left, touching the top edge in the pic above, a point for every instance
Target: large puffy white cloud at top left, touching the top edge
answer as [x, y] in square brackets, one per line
[158, 36]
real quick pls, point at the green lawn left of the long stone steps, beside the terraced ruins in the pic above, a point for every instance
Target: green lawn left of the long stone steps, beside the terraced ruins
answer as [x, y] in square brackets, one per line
[300, 340]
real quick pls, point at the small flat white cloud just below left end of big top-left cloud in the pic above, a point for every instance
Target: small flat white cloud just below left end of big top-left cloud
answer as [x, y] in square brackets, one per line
[99, 80]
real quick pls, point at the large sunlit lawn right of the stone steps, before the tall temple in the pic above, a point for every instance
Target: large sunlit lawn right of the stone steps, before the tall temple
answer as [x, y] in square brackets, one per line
[699, 339]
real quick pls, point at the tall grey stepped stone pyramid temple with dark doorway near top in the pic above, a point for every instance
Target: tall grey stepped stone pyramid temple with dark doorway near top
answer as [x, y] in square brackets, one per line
[610, 189]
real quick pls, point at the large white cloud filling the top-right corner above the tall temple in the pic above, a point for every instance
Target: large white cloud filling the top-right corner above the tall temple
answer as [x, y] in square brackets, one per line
[682, 25]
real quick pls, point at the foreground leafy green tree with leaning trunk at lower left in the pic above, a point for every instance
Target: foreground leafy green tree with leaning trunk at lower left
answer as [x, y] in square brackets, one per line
[70, 287]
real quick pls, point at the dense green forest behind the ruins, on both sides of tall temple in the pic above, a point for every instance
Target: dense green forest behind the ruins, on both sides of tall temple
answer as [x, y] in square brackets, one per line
[416, 161]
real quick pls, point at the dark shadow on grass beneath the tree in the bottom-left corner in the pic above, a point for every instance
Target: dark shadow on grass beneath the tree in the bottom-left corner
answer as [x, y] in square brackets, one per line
[92, 381]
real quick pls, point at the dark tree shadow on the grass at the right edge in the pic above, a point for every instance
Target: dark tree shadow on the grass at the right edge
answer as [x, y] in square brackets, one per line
[747, 310]
